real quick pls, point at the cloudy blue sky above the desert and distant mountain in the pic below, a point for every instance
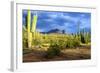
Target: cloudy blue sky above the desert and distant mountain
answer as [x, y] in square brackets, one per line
[68, 21]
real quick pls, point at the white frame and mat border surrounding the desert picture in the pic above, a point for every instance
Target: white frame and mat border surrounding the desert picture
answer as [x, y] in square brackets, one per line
[17, 52]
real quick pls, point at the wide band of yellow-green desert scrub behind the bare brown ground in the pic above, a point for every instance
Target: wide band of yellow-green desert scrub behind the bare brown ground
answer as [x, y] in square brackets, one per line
[60, 40]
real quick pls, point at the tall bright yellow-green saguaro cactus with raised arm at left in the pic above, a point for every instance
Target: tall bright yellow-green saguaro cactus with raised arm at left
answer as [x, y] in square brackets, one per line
[31, 32]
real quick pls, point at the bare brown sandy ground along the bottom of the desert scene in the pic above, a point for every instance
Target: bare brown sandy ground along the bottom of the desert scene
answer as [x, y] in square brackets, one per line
[78, 53]
